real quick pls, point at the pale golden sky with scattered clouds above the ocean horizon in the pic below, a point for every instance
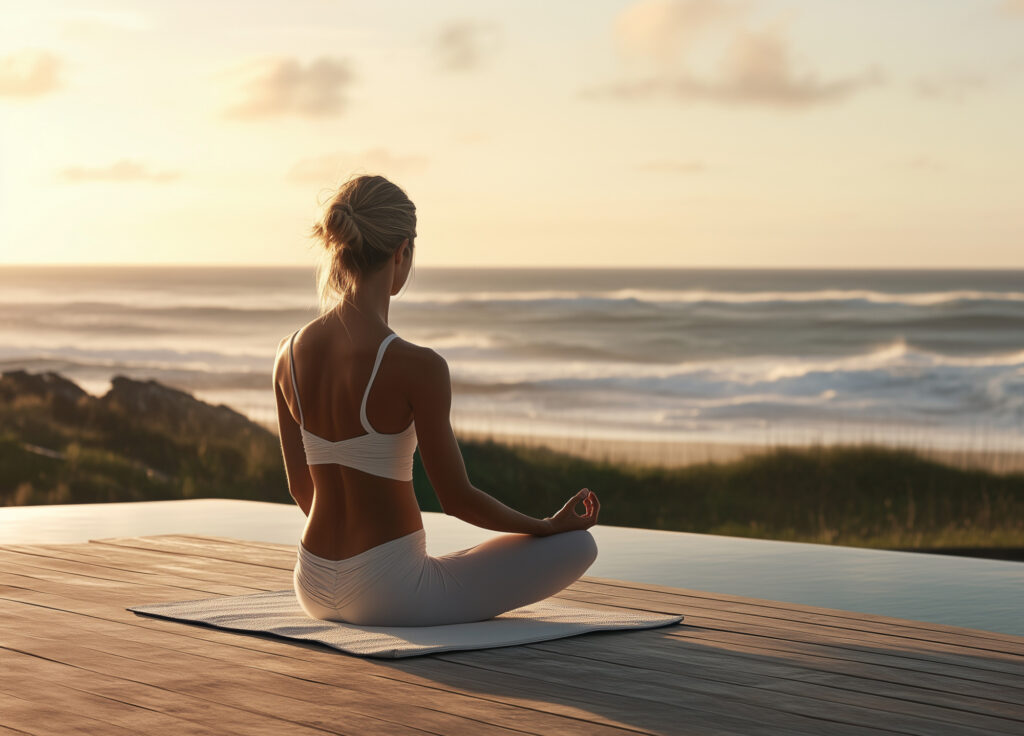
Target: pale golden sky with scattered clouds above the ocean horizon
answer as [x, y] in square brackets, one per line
[655, 134]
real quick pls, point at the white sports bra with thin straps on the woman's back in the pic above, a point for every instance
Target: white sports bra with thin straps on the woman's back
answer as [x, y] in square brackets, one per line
[390, 456]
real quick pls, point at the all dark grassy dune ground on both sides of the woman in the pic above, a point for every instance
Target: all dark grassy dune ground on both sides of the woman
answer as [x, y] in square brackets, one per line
[179, 448]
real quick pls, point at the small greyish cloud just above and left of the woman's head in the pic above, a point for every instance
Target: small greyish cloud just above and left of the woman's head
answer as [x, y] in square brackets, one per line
[282, 86]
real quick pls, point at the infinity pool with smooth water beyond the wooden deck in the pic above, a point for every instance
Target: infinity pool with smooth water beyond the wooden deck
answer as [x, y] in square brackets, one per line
[942, 589]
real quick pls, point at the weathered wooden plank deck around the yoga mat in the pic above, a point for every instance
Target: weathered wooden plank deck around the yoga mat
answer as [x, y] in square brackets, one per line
[74, 661]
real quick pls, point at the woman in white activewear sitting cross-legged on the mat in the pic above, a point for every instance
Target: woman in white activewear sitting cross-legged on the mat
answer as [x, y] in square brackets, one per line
[349, 450]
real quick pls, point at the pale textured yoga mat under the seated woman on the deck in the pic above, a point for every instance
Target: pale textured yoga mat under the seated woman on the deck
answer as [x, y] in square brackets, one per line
[278, 613]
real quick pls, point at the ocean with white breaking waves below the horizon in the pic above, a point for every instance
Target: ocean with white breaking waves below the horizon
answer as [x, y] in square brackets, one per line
[763, 357]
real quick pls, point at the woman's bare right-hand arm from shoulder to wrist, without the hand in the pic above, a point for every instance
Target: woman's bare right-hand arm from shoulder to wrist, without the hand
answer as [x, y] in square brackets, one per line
[432, 401]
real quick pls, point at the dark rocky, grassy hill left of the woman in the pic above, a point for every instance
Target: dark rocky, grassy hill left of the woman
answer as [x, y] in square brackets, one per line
[141, 441]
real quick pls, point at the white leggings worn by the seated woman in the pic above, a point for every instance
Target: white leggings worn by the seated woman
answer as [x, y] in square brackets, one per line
[398, 584]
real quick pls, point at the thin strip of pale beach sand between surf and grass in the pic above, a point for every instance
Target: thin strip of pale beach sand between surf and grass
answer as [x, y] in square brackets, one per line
[675, 455]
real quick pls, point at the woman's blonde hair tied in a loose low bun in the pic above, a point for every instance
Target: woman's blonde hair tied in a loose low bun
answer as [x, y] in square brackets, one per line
[362, 228]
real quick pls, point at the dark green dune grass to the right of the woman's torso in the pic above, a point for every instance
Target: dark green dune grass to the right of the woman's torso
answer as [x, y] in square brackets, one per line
[860, 496]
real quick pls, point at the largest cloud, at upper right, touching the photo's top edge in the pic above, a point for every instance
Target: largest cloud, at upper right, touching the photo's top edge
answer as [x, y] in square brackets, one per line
[753, 67]
